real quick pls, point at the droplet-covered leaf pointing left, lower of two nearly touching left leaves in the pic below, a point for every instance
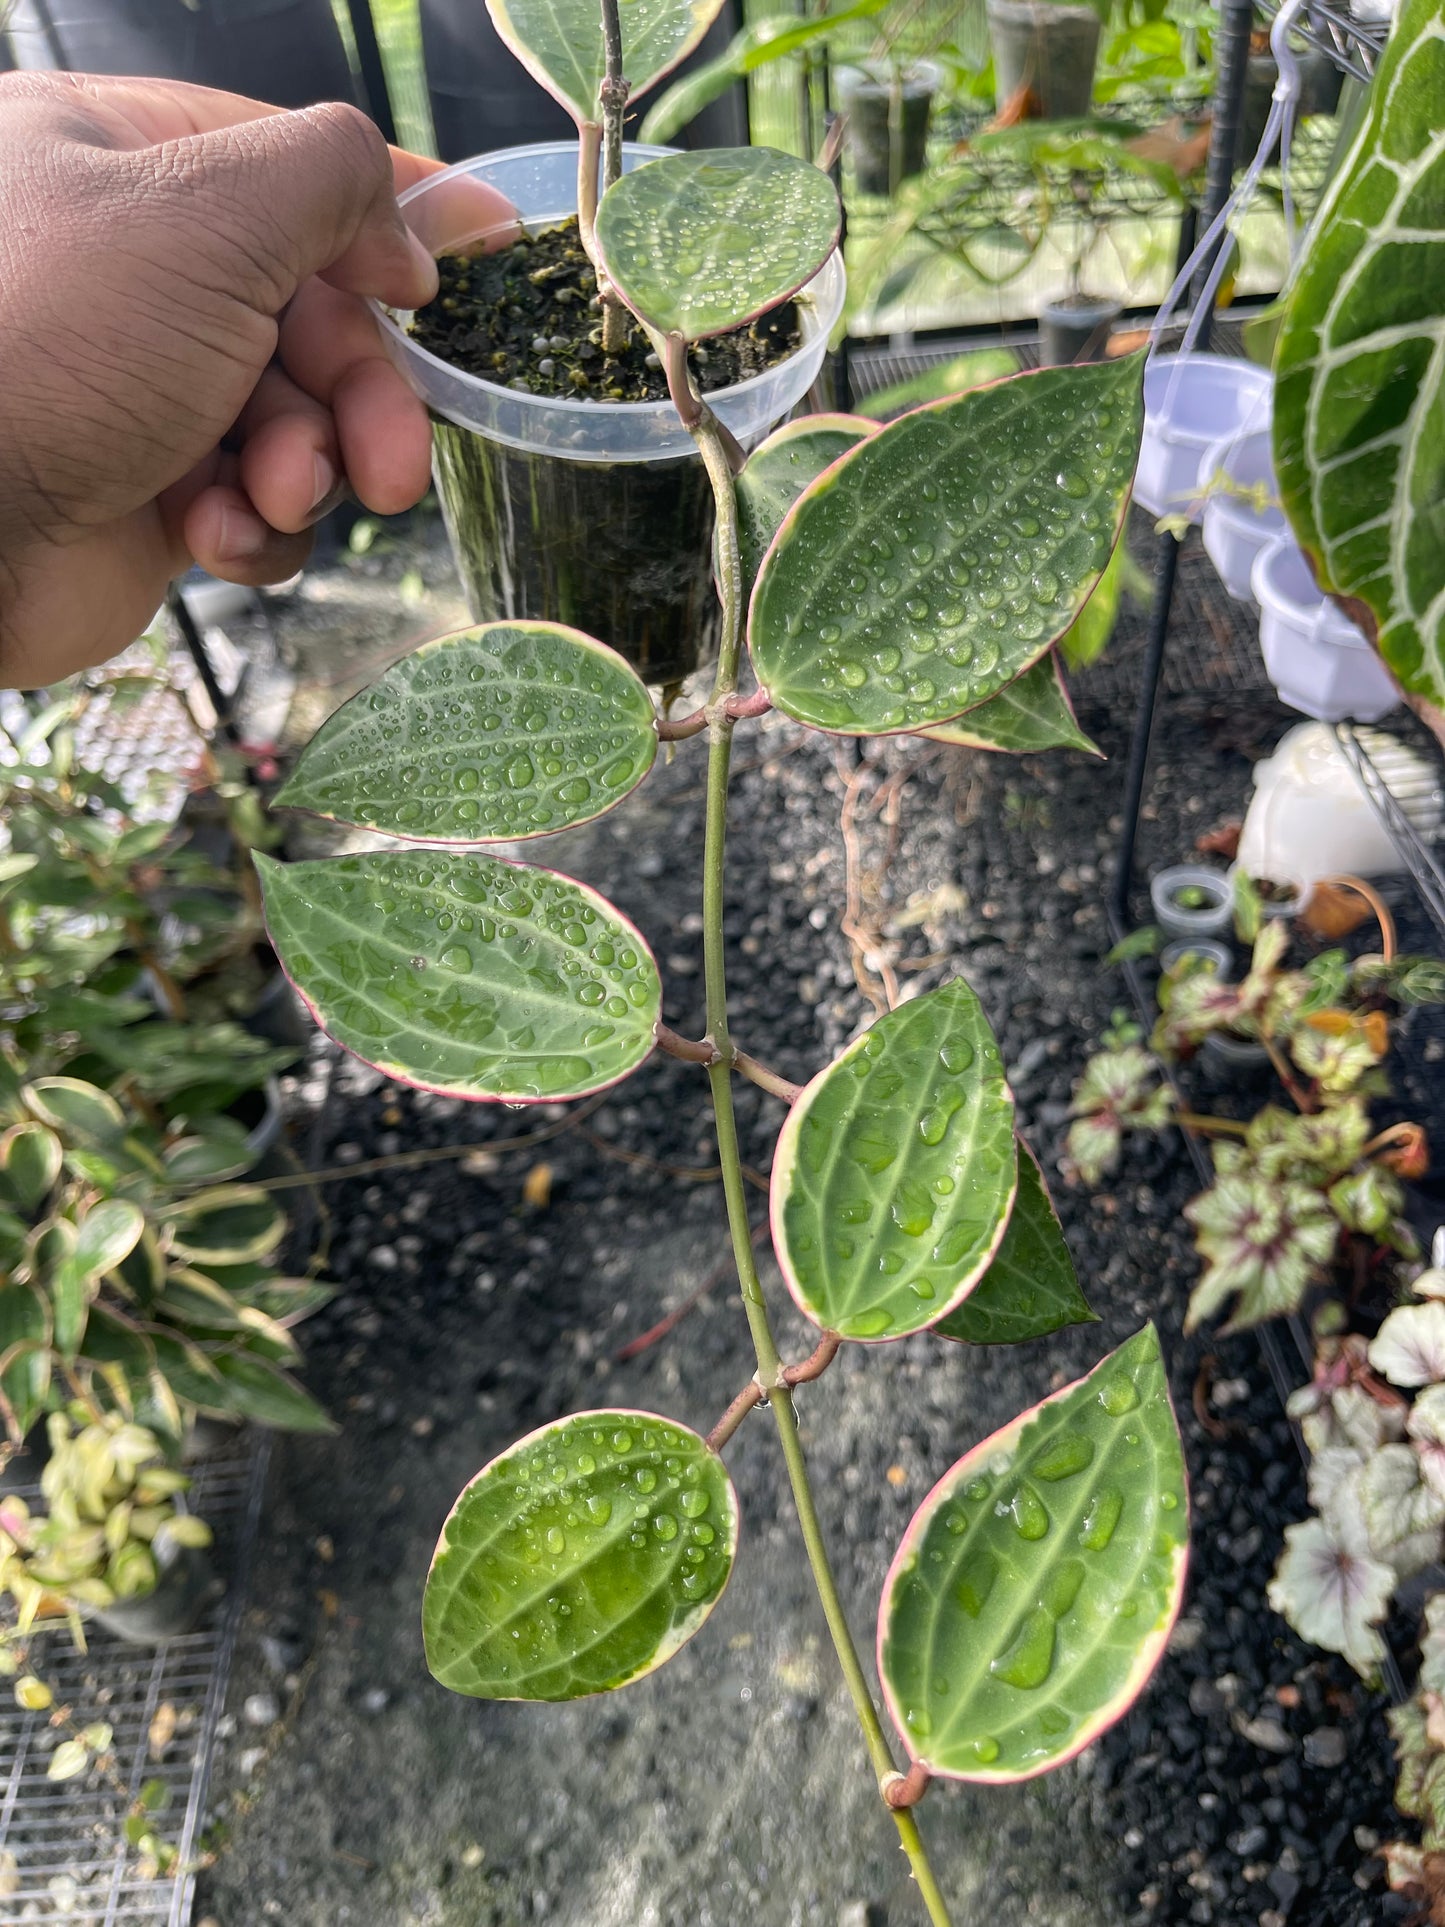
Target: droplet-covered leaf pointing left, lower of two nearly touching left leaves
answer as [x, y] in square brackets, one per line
[463, 974]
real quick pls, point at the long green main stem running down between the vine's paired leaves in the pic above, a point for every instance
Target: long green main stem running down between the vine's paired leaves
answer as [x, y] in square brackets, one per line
[770, 1365]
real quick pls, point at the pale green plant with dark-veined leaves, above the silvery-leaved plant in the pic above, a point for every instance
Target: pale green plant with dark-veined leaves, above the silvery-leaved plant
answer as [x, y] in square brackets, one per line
[1303, 1182]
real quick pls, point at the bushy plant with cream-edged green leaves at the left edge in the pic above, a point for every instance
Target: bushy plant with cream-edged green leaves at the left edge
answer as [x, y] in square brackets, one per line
[140, 1269]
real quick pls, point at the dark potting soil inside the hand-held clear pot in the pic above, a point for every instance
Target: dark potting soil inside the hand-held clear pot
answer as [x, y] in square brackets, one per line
[529, 319]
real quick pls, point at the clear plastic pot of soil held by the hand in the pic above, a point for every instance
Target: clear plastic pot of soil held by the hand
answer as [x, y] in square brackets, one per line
[581, 512]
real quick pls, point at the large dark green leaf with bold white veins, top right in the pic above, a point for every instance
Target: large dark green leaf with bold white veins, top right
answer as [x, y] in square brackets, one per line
[1359, 417]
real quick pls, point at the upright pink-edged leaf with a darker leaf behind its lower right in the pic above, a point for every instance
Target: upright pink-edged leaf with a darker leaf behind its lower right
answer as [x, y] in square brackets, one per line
[895, 1173]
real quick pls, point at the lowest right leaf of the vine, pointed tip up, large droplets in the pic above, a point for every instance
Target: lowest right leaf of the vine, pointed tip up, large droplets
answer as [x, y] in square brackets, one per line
[1038, 1585]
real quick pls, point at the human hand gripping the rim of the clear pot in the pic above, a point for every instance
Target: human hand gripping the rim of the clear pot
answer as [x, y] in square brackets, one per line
[190, 367]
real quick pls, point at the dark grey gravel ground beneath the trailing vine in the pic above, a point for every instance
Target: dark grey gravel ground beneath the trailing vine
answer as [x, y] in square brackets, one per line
[1251, 1782]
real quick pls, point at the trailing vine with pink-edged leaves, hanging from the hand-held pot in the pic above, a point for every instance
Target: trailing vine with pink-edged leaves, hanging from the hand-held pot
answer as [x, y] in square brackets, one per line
[895, 579]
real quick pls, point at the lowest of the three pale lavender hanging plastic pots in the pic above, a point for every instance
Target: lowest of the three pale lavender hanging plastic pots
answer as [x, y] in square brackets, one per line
[1317, 658]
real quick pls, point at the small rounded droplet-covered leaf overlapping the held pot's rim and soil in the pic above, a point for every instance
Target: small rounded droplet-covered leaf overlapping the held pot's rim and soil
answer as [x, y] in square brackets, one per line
[700, 244]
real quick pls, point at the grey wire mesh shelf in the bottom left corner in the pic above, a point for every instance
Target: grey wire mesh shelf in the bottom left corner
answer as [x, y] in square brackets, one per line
[65, 1861]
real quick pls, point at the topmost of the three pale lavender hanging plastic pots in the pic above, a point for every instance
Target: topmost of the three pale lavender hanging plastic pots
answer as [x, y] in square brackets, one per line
[1194, 402]
